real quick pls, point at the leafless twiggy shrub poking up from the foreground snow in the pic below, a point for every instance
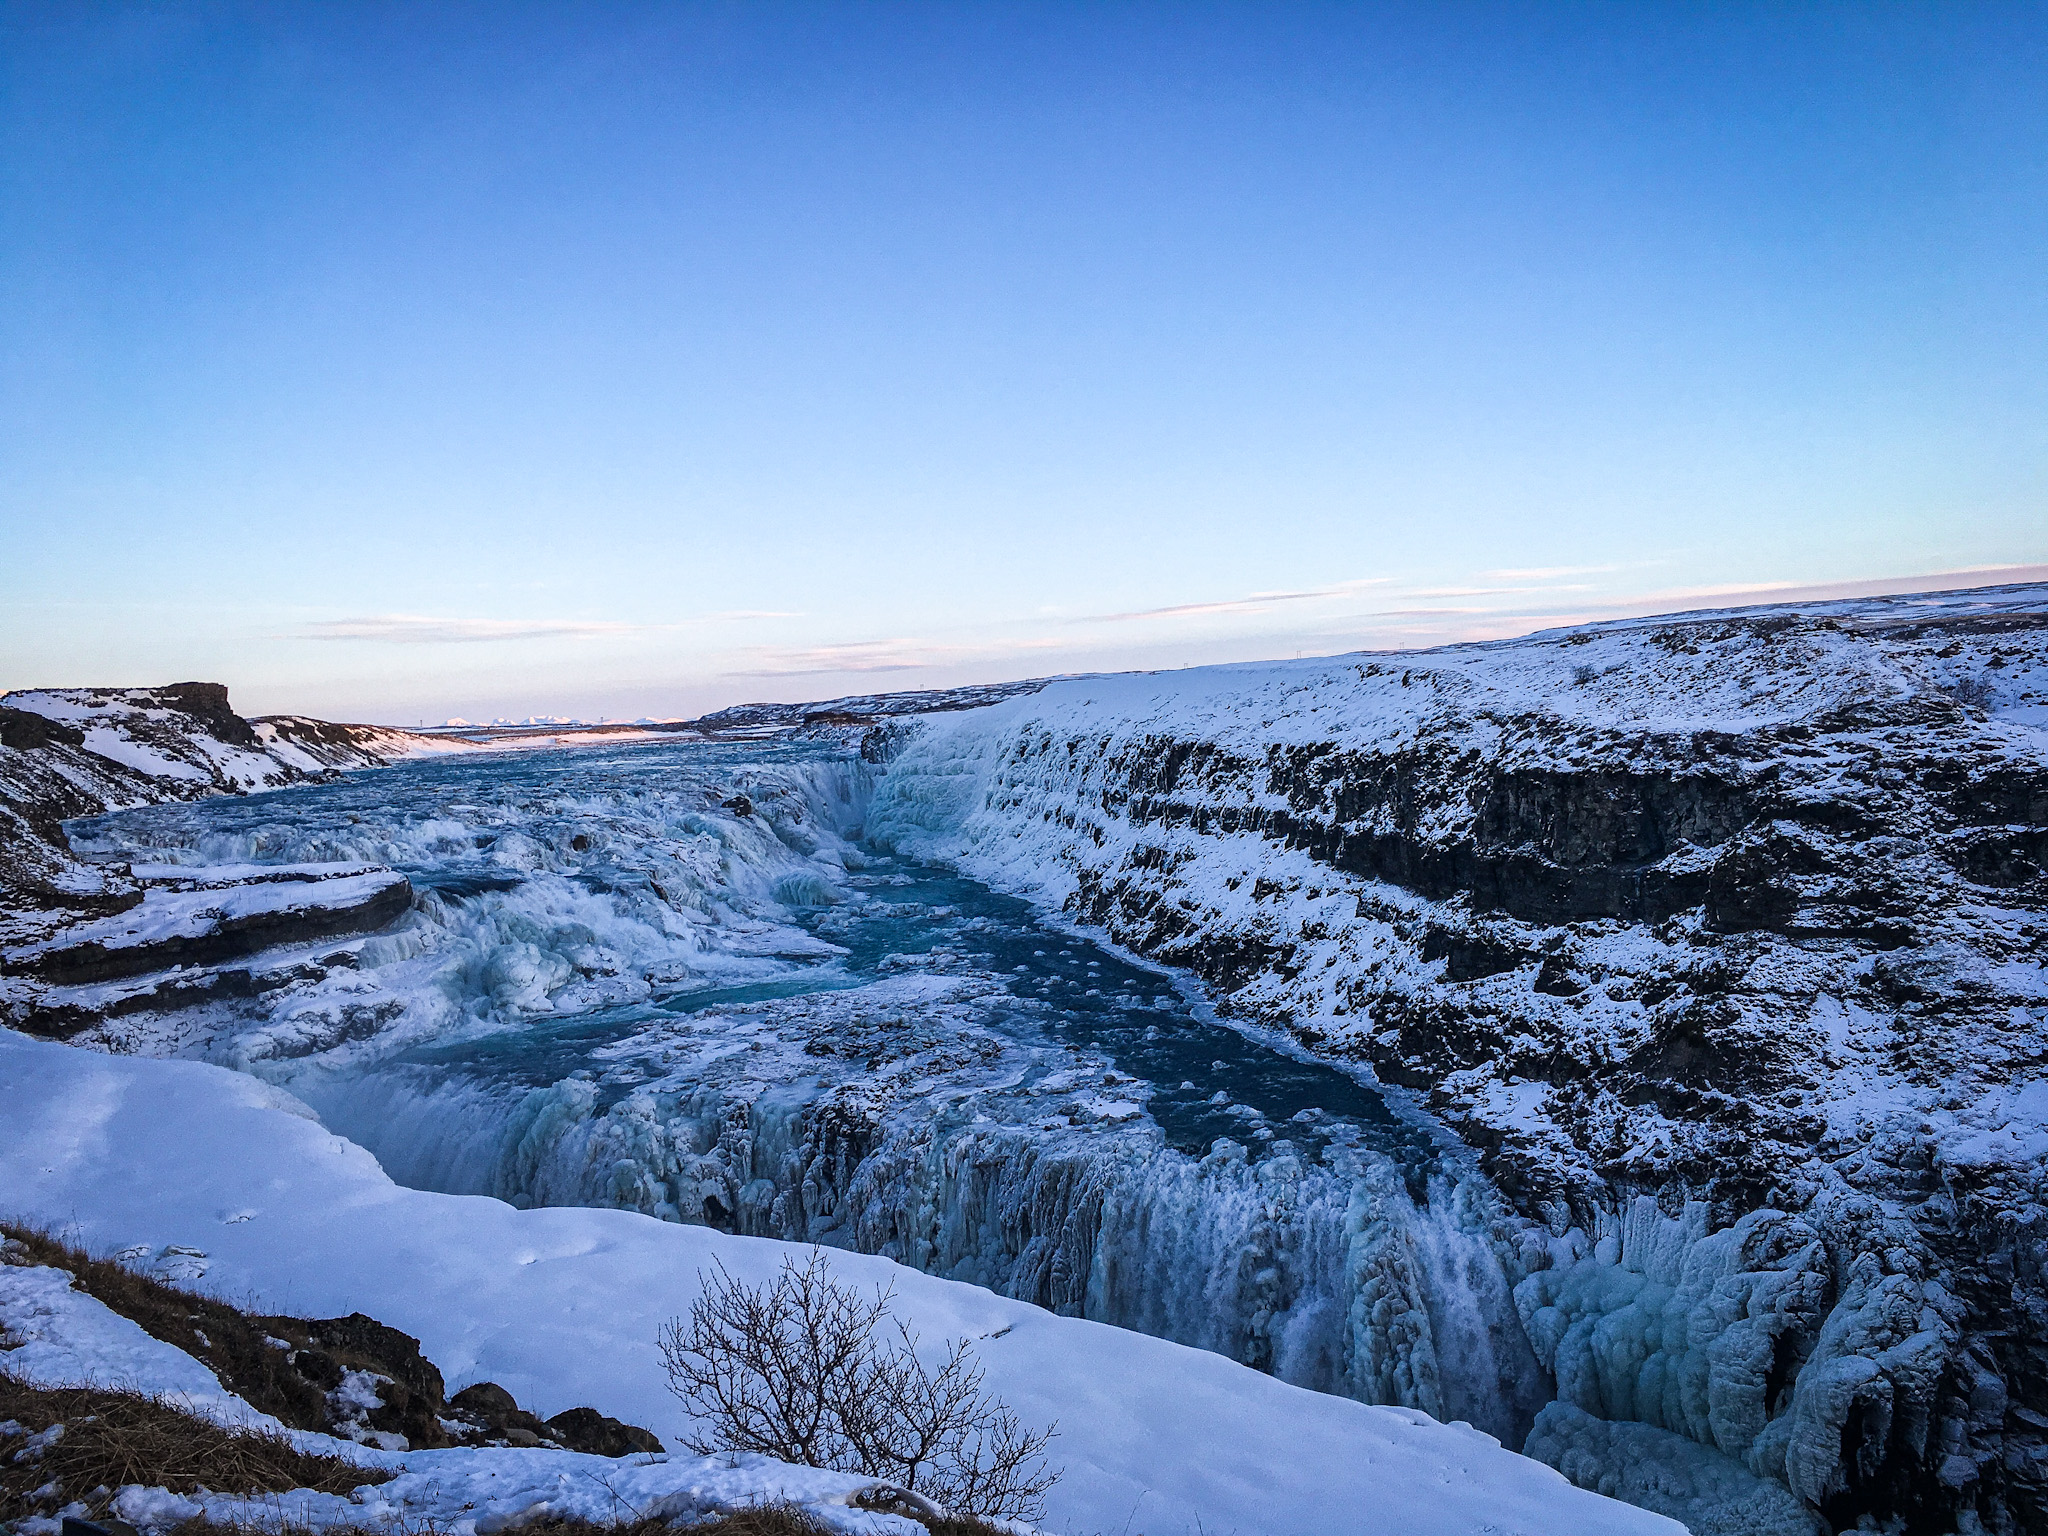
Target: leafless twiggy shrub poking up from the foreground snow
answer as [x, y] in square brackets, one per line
[810, 1371]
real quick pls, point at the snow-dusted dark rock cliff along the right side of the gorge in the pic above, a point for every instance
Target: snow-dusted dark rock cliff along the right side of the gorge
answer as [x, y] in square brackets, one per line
[1719, 935]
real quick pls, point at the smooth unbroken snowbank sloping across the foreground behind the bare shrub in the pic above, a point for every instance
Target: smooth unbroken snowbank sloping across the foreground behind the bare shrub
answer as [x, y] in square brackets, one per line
[562, 1306]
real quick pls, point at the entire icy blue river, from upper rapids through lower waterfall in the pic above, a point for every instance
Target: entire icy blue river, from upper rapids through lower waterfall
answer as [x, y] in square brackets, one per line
[677, 980]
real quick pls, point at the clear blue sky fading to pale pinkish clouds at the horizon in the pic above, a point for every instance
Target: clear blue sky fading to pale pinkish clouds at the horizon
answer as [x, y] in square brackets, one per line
[400, 361]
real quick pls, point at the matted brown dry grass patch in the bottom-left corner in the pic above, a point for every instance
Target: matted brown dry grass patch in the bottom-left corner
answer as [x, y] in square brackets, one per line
[112, 1439]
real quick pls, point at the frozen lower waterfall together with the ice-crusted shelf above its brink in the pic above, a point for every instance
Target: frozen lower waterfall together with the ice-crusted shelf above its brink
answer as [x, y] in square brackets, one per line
[902, 1119]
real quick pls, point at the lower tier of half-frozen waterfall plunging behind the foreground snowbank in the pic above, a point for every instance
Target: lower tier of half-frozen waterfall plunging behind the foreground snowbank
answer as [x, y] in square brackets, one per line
[1322, 1271]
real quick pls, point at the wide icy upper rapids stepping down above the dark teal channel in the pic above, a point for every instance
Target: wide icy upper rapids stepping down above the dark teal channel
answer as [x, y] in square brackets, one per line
[544, 888]
